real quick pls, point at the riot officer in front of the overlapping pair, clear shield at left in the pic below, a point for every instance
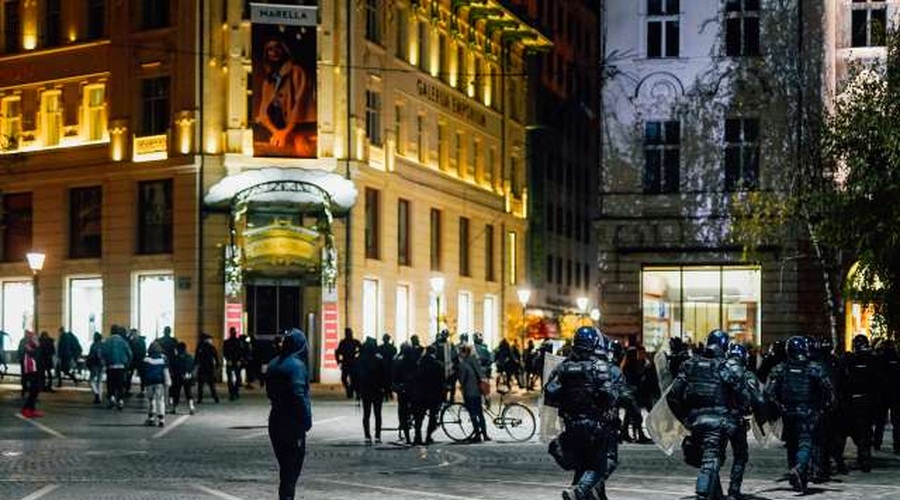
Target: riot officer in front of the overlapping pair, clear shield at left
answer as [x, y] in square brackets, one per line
[703, 398]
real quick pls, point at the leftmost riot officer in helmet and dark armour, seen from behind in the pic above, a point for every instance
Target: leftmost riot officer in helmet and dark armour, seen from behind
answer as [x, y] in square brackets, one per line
[586, 388]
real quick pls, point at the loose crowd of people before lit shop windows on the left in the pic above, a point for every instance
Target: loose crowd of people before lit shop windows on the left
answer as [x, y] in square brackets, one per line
[164, 373]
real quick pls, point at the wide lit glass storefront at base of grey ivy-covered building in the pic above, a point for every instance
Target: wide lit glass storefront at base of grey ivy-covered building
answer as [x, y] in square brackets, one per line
[689, 301]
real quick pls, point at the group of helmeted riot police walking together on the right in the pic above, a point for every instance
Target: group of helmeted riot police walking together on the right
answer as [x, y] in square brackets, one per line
[812, 396]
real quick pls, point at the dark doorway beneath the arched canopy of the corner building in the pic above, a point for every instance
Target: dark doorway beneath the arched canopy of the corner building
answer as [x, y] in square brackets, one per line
[273, 306]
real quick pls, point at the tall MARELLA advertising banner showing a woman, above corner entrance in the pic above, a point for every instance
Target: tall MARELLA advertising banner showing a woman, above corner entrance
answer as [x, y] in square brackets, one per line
[284, 80]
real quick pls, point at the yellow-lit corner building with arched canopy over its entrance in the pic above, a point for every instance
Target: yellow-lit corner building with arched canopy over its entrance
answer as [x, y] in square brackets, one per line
[140, 171]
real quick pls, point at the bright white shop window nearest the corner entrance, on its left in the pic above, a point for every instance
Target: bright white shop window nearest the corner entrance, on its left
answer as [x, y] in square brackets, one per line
[155, 303]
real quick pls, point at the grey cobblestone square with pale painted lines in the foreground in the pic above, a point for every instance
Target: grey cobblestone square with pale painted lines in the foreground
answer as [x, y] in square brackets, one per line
[79, 451]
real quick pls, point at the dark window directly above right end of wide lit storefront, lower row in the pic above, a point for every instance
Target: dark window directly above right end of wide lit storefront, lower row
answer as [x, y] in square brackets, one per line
[741, 154]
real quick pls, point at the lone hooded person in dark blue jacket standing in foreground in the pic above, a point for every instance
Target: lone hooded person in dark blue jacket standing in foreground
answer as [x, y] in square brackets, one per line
[290, 418]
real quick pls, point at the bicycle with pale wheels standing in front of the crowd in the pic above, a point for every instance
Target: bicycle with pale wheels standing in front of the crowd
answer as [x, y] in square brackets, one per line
[515, 418]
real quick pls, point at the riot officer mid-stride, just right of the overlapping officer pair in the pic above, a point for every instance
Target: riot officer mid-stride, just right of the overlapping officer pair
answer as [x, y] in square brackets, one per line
[801, 390]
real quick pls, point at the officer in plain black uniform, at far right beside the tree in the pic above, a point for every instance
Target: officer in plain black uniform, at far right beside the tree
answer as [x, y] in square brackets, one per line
[860, 382]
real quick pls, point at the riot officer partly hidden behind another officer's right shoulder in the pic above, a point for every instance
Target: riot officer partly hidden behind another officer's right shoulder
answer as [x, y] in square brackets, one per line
[750, 401]
